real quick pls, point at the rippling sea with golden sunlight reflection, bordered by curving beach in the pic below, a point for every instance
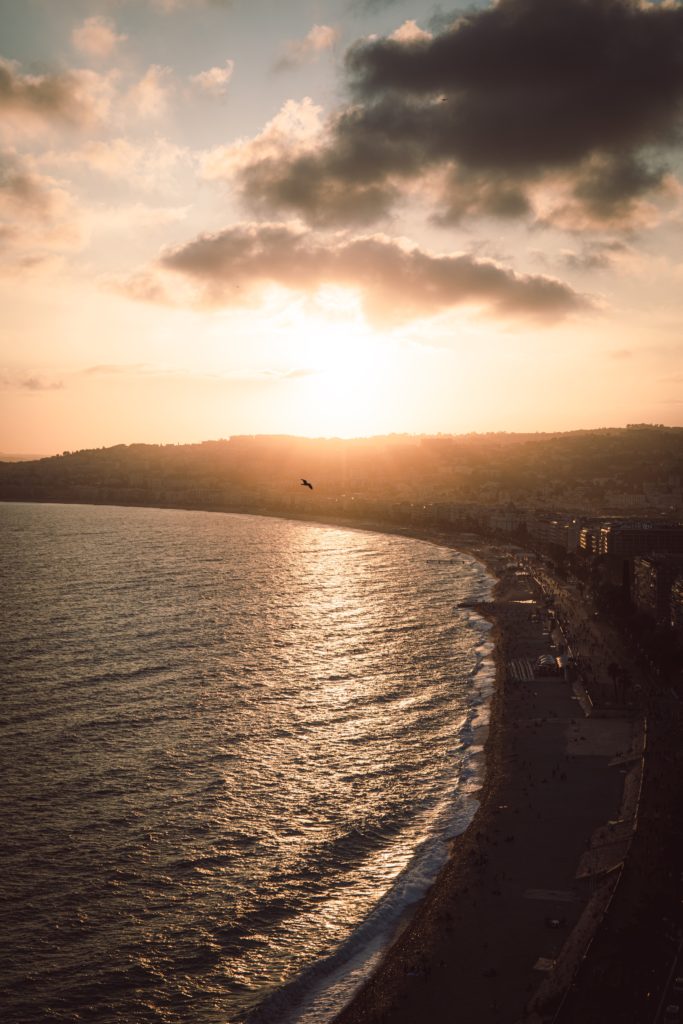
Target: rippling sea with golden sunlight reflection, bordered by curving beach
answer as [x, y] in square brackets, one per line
[234, 750]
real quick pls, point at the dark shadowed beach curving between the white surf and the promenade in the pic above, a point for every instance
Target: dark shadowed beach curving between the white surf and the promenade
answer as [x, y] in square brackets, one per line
[500, 934]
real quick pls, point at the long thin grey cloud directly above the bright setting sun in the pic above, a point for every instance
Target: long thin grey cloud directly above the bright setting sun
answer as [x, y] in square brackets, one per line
[396, 283]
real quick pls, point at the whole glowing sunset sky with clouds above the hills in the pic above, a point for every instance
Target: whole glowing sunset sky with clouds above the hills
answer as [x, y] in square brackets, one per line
[337, 219]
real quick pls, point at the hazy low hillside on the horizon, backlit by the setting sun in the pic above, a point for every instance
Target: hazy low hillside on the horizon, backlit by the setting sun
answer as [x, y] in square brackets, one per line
[633, 467]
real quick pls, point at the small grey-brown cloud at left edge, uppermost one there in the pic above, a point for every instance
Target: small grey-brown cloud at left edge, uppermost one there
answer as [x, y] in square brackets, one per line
[77, 99]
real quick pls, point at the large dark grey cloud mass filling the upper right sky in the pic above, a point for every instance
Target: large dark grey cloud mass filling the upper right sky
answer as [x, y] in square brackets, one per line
[586, 93]
